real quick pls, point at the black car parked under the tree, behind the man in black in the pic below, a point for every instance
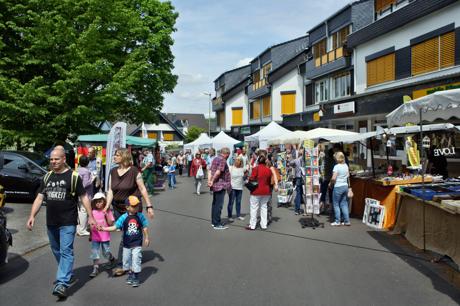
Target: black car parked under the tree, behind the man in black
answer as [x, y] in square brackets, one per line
[20, 174]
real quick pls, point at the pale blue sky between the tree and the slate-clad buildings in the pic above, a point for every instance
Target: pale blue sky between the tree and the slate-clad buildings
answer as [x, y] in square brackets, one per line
[215, 36]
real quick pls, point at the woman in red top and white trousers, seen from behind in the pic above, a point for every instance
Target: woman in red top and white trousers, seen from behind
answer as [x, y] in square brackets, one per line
[261, 195]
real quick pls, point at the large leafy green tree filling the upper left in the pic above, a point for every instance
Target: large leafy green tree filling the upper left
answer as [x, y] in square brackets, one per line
[66, 65]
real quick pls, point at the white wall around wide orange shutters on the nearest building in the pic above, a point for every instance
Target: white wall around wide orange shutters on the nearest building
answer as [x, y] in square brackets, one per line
[400, 38]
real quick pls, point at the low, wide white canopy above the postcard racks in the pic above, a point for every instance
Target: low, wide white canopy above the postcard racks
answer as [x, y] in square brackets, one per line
[315, 134]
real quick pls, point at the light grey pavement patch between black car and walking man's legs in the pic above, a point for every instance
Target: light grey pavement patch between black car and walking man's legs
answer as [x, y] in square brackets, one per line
[25, 241]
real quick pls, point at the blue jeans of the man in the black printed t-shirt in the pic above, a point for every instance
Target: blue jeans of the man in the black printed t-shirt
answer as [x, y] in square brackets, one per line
[61, 242]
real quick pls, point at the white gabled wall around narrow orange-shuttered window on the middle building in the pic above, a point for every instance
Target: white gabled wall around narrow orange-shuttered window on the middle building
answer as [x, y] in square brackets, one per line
[289, 82]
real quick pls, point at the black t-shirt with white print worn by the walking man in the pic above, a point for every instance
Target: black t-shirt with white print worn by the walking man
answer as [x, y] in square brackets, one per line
[61, 207]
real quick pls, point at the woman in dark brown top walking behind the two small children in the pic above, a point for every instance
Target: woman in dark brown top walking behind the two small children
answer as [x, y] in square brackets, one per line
[125, 180]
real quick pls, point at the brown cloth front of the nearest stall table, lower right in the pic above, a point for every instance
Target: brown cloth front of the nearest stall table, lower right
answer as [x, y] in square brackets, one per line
[441, 226]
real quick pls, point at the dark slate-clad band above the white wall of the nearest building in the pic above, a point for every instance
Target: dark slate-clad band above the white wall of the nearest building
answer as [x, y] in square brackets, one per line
[397, 19]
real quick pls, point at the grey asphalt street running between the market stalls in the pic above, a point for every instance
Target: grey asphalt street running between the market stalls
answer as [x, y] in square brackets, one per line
[189, 263]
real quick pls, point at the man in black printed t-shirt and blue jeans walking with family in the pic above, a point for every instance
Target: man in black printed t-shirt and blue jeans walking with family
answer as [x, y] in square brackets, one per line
[61, 216]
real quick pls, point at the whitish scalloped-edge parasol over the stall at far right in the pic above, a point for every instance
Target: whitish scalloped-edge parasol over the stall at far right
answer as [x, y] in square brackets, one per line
[439, 105]
